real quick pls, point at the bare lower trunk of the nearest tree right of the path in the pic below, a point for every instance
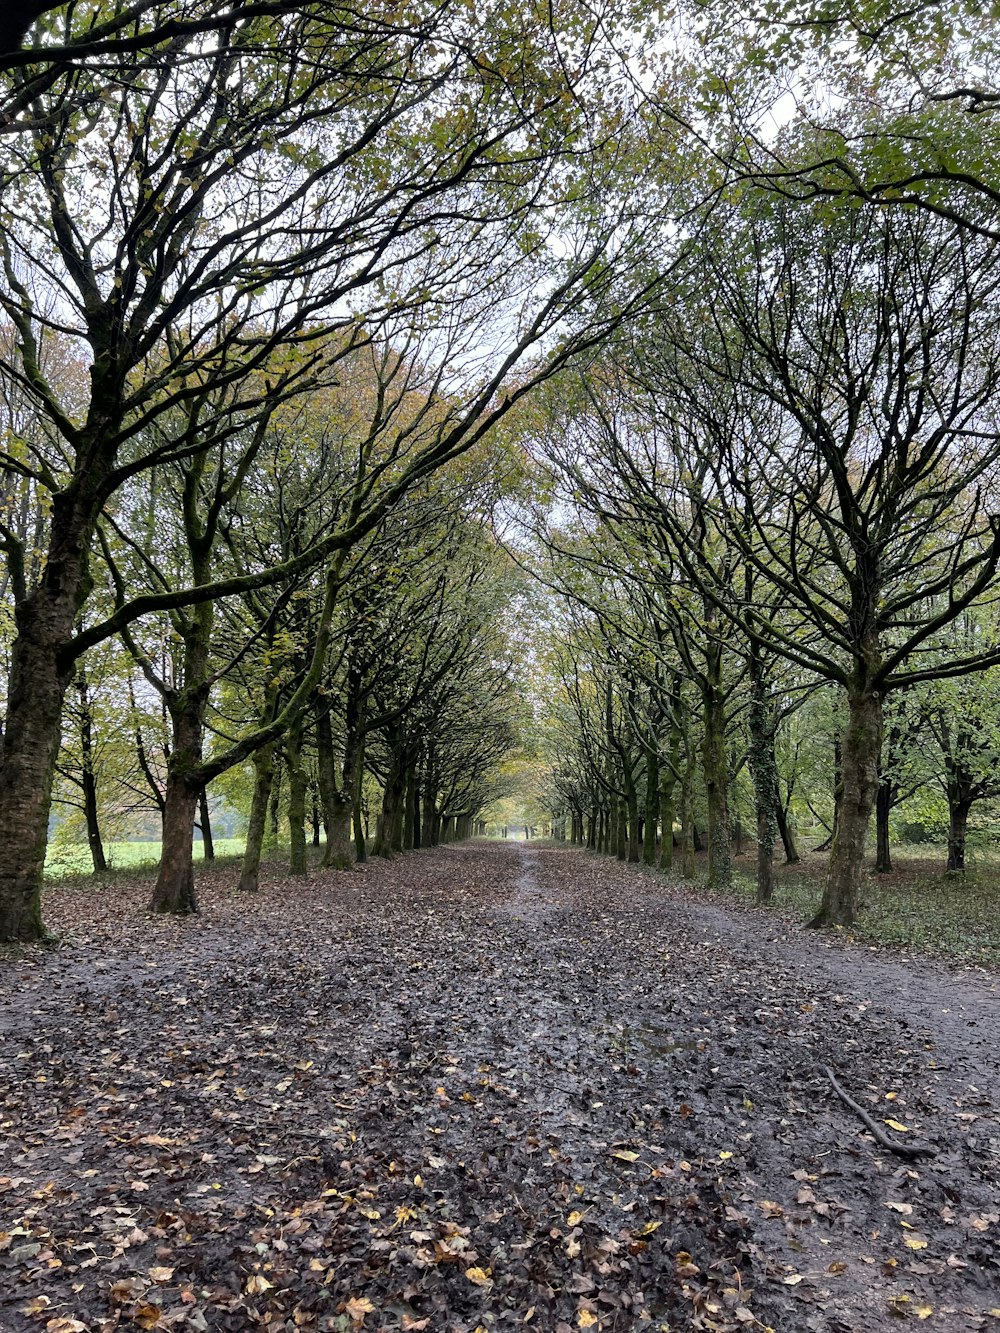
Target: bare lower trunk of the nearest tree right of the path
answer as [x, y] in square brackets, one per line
[859, 758]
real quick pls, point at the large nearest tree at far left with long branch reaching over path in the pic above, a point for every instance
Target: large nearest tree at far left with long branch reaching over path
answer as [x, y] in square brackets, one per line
[245, 214]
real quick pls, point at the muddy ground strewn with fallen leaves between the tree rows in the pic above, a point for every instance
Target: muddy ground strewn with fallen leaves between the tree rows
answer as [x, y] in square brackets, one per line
[482, 1088]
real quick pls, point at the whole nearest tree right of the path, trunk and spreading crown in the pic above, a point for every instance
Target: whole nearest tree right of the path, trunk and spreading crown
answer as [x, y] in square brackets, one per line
[867, 506]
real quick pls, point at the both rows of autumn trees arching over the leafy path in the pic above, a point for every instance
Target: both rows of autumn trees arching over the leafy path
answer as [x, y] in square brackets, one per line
[298, 301]
